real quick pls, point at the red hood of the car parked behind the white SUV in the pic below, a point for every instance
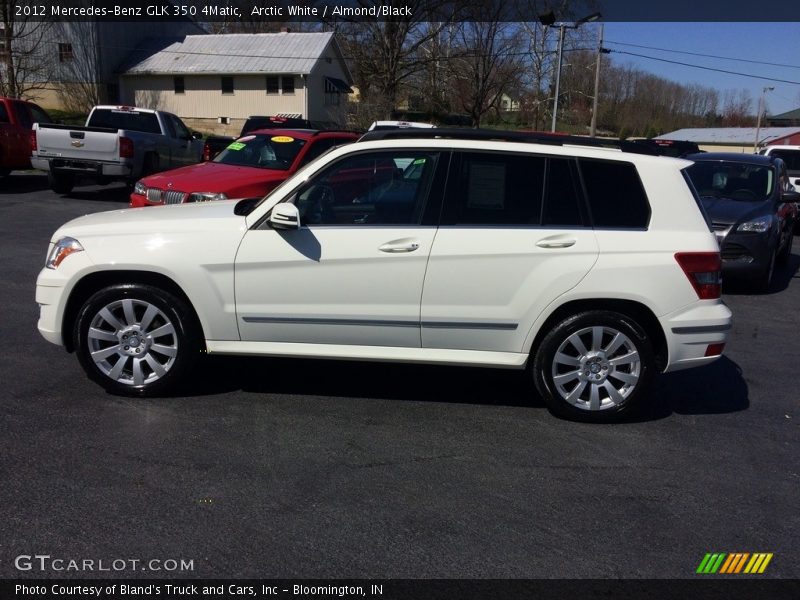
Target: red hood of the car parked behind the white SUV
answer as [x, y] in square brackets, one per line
[214, 177]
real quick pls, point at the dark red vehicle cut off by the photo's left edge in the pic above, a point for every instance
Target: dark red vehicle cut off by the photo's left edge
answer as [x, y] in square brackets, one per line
[16, 119]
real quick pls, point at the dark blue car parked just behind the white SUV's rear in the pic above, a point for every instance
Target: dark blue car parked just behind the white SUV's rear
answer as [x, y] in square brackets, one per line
[751, 205]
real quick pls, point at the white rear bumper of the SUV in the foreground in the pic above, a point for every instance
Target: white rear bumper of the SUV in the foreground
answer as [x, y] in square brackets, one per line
[690, 332]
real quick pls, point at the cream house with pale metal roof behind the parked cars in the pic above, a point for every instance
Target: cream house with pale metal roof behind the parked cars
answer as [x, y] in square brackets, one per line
[214, 82]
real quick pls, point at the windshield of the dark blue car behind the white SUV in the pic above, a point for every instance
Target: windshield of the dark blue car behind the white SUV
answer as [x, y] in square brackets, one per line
[733, 180]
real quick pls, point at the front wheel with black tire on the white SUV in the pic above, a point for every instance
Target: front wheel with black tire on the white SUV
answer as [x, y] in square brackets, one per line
[145, 340]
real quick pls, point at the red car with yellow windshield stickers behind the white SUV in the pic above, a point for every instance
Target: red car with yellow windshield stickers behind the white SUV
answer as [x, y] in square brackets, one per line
[249, 167]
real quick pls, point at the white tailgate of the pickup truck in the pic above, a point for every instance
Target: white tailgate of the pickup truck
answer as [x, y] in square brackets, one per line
[78, 143]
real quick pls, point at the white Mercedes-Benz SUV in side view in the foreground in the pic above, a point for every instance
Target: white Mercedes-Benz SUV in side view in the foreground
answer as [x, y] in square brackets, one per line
[591, 266]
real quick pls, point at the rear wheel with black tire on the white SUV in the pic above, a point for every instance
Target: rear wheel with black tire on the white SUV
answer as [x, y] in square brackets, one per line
[597, 369]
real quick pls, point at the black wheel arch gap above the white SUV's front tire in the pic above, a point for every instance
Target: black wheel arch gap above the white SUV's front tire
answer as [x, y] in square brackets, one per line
[94, 282]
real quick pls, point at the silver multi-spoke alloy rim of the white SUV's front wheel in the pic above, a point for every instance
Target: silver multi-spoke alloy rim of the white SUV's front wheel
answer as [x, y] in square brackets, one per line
[132, 342]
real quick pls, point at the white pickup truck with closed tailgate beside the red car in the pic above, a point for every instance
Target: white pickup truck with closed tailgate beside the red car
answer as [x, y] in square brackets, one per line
[118, 143]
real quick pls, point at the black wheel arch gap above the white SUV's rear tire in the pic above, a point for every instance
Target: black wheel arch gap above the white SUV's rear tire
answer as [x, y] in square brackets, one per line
[630, 308]
